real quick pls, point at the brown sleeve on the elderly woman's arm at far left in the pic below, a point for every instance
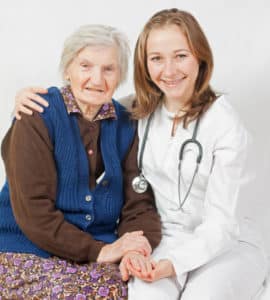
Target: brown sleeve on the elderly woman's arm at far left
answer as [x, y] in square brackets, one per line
[32, 176]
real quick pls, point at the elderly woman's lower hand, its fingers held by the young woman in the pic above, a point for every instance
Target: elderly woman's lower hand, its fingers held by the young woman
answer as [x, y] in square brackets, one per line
[135, 264]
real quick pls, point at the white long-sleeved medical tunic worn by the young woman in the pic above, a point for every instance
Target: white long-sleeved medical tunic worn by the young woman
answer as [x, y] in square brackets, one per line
[209, 226]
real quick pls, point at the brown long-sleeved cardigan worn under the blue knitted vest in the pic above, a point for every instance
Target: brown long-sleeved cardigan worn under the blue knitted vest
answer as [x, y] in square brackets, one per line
[28, 157]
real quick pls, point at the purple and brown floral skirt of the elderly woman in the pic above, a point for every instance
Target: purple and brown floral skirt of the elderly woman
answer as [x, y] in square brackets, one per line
[27, 276]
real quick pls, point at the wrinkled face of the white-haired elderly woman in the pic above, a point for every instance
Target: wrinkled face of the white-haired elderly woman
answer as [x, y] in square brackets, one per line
[94, 75]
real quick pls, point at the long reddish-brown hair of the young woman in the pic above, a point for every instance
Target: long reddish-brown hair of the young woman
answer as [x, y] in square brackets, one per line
[148, 94]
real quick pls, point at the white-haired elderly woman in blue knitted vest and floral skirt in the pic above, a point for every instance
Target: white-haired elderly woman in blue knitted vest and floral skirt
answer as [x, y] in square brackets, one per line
[67, 210]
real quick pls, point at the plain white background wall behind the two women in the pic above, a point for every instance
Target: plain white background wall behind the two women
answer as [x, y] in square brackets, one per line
[32, 33]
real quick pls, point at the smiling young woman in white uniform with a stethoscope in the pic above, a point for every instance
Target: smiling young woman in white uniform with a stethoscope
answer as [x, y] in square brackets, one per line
[207, 251]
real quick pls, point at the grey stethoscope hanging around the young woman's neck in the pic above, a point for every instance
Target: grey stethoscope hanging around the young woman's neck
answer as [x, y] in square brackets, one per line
[140, 184]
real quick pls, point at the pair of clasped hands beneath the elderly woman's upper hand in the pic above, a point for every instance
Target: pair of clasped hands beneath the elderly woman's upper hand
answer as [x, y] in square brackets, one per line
[135, 264]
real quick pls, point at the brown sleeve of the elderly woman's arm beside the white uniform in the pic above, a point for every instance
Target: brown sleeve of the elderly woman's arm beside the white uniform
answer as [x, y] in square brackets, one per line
[139, 211]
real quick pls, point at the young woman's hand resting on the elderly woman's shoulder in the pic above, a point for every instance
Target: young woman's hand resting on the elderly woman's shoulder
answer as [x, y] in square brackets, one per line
[27, 100]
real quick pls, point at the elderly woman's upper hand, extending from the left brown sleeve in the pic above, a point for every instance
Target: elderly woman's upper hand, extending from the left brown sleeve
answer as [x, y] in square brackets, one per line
[133, 241]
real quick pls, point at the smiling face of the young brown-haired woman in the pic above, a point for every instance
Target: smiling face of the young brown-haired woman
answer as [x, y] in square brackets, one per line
[171, 63]
